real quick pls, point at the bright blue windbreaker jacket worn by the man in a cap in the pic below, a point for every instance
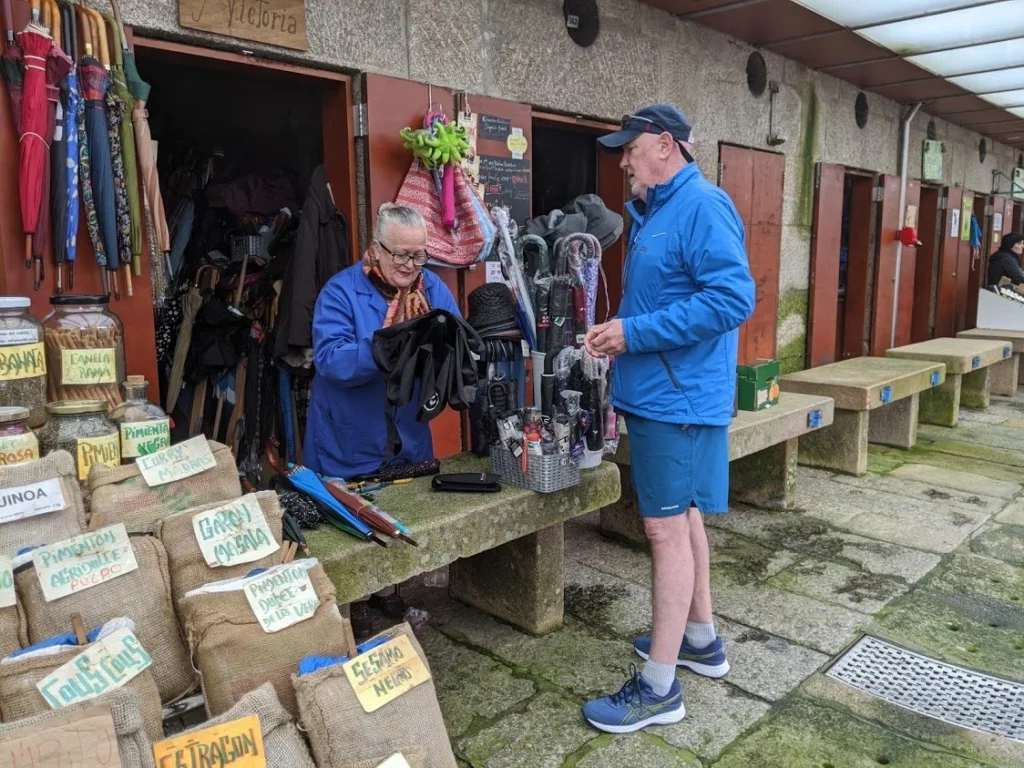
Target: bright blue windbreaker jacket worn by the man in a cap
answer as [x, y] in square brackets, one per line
[687, 289]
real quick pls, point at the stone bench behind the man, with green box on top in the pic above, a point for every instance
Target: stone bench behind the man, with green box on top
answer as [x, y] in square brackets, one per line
[763, 449]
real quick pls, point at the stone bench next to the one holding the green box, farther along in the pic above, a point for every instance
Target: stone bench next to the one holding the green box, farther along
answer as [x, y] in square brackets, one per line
[877, 401]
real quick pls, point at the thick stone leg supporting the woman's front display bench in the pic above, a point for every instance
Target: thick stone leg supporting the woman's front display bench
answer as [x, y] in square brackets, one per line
[521, 582]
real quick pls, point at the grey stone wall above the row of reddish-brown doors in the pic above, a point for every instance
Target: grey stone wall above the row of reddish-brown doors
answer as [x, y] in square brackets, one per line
[519, 50]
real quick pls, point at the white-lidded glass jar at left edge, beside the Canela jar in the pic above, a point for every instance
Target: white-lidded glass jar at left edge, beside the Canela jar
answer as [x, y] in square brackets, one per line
[23, 363]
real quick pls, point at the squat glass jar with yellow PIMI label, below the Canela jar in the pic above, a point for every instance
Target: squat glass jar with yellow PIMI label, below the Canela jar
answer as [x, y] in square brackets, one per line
[82, 429]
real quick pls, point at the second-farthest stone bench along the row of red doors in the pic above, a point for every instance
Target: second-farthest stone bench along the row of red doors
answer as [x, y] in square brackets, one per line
[972, 365]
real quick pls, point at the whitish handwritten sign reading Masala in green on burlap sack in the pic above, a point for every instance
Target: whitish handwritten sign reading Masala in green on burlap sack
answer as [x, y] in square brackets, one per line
[235, 534]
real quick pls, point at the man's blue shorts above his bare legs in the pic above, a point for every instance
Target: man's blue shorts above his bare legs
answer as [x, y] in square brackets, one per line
[676, 467]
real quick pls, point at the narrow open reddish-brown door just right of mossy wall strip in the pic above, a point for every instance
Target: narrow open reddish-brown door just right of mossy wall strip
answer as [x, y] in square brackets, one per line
[827, 235]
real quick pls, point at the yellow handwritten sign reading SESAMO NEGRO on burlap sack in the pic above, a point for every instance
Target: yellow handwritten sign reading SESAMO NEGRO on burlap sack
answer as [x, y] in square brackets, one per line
[385, 673]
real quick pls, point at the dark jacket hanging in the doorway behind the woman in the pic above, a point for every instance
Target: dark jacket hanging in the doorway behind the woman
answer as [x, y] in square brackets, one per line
[322, 250]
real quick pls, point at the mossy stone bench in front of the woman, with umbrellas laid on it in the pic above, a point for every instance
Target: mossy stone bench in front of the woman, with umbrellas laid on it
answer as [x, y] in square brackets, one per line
[506, 549]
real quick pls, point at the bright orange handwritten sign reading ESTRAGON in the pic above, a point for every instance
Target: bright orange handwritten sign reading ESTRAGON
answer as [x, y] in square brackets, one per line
[238, 744]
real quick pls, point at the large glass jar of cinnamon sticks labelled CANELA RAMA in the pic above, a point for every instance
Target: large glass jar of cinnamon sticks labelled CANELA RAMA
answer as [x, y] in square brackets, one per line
[86, 352]
